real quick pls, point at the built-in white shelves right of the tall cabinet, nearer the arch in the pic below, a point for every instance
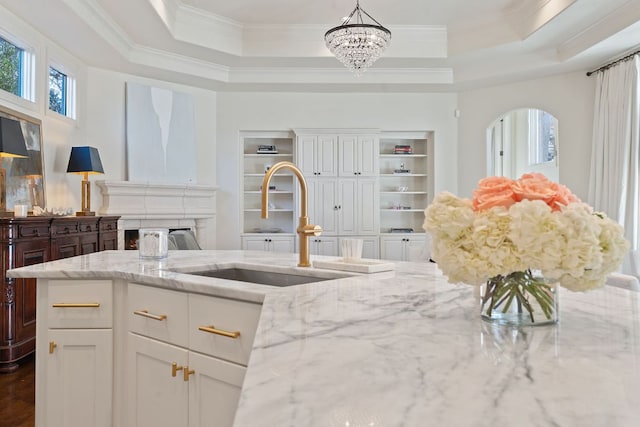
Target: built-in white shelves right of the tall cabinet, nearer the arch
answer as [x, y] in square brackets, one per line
[406, 180]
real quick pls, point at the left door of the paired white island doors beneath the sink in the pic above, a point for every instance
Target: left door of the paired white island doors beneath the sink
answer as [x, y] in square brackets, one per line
[157, 398]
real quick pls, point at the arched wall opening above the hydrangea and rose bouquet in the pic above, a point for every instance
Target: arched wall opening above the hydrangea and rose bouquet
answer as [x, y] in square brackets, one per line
[522, 141]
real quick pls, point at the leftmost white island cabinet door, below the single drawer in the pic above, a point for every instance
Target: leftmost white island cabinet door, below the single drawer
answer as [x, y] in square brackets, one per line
[79, 378]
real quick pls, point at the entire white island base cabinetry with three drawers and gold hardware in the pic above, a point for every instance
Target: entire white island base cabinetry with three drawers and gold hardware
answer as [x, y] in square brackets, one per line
[113, 353]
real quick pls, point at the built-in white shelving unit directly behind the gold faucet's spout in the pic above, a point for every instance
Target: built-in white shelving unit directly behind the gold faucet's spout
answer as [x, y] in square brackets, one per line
[281, 222]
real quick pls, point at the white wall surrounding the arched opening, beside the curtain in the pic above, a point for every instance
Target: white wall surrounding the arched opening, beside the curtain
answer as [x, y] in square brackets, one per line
[569, 97]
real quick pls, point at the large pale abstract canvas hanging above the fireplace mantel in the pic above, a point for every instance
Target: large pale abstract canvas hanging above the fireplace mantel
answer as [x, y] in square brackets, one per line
[160, 135]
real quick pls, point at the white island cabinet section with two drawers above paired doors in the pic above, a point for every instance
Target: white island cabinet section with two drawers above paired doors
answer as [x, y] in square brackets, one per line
[187, 356]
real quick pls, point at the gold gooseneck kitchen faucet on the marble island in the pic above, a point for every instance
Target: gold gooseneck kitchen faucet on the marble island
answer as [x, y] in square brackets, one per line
[304, 229]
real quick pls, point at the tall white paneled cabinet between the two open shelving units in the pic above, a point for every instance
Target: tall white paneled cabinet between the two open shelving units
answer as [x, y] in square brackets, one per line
[342, 187]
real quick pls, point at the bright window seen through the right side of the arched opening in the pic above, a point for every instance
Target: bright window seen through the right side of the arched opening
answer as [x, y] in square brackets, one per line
[542, 137]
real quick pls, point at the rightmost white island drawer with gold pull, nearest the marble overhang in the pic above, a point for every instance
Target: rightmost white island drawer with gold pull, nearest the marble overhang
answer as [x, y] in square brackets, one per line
[220, 315]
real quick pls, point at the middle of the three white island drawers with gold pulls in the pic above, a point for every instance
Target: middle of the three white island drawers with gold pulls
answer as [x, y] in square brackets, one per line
[159, 313]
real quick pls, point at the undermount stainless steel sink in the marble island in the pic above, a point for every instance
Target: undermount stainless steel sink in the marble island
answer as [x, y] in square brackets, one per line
[264, 277]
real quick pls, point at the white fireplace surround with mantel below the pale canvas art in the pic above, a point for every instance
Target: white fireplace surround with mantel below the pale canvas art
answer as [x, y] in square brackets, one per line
[174, 206]
